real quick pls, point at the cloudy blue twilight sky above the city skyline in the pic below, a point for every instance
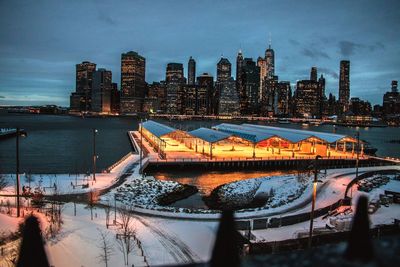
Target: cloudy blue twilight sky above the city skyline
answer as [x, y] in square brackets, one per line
[41, 41]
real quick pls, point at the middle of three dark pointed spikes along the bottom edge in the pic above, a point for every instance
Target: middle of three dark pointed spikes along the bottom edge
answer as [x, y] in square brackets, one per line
[226, 250]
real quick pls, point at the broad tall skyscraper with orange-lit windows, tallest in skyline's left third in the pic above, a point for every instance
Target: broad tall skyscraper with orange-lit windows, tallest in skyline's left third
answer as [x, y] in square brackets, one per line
[133, 84]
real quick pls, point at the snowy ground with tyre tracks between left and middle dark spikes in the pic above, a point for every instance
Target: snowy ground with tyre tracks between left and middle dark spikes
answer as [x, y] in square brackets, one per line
[163, 241]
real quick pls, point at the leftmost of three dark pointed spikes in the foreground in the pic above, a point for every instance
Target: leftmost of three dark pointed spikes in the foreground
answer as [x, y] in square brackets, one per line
[32, 253]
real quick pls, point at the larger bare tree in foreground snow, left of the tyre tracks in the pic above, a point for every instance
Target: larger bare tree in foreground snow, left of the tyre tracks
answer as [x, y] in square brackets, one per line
[125, 234]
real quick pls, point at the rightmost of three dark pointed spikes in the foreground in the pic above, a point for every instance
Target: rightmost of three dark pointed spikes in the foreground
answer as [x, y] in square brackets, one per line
[360, 247]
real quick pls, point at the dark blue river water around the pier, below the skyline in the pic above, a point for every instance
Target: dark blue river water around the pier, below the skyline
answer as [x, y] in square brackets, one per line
[63, 144]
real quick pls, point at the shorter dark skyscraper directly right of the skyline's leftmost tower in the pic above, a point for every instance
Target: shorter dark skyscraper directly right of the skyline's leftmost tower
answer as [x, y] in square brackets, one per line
[101, 91]
